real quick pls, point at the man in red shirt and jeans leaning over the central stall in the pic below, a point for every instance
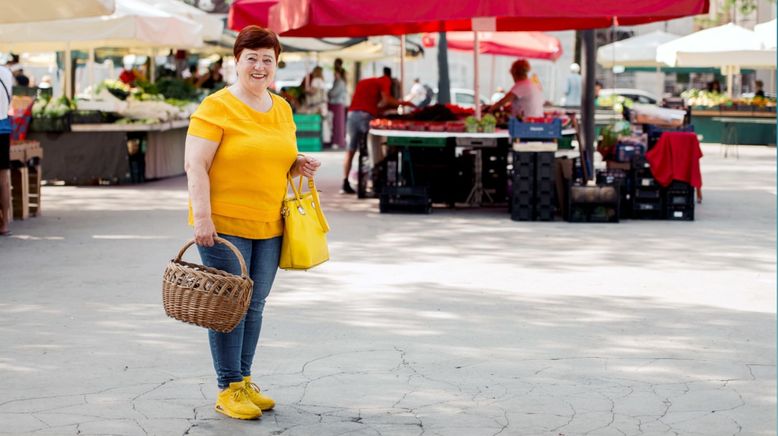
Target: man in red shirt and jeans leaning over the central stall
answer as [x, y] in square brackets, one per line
[371, 97]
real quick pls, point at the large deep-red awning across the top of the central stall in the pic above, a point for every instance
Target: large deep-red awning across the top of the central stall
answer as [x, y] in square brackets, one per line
[320, 18]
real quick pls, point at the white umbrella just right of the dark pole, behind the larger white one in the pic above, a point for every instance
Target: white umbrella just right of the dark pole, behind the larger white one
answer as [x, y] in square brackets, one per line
[638, 51]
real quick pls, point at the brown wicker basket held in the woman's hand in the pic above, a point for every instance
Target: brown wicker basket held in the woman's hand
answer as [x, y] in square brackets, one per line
[205, 296]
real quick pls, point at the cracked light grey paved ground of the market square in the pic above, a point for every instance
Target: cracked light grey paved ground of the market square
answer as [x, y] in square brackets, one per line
[457, 323]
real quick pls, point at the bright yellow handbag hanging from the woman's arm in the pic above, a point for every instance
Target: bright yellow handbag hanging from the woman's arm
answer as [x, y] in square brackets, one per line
[305, 229]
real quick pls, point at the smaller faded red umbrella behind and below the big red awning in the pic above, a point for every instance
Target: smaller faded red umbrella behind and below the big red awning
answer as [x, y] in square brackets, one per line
[533, 45]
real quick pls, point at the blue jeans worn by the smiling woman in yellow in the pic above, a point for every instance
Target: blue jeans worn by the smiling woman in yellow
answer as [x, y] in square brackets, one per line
[233, 352]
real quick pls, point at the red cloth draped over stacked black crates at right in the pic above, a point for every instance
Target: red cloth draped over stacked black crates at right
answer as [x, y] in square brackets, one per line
[676, 157]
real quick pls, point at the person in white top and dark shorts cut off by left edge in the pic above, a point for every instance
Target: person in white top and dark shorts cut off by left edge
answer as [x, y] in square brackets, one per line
[6, 87]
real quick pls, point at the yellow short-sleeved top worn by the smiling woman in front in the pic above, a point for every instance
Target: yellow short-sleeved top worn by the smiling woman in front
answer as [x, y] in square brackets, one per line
[248, 172]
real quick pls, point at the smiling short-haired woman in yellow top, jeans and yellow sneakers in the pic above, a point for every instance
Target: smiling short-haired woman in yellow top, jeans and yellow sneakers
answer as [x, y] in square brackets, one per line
[239, 149]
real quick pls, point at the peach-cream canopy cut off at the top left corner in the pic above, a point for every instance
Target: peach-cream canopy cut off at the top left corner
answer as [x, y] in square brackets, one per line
[45, 10]
